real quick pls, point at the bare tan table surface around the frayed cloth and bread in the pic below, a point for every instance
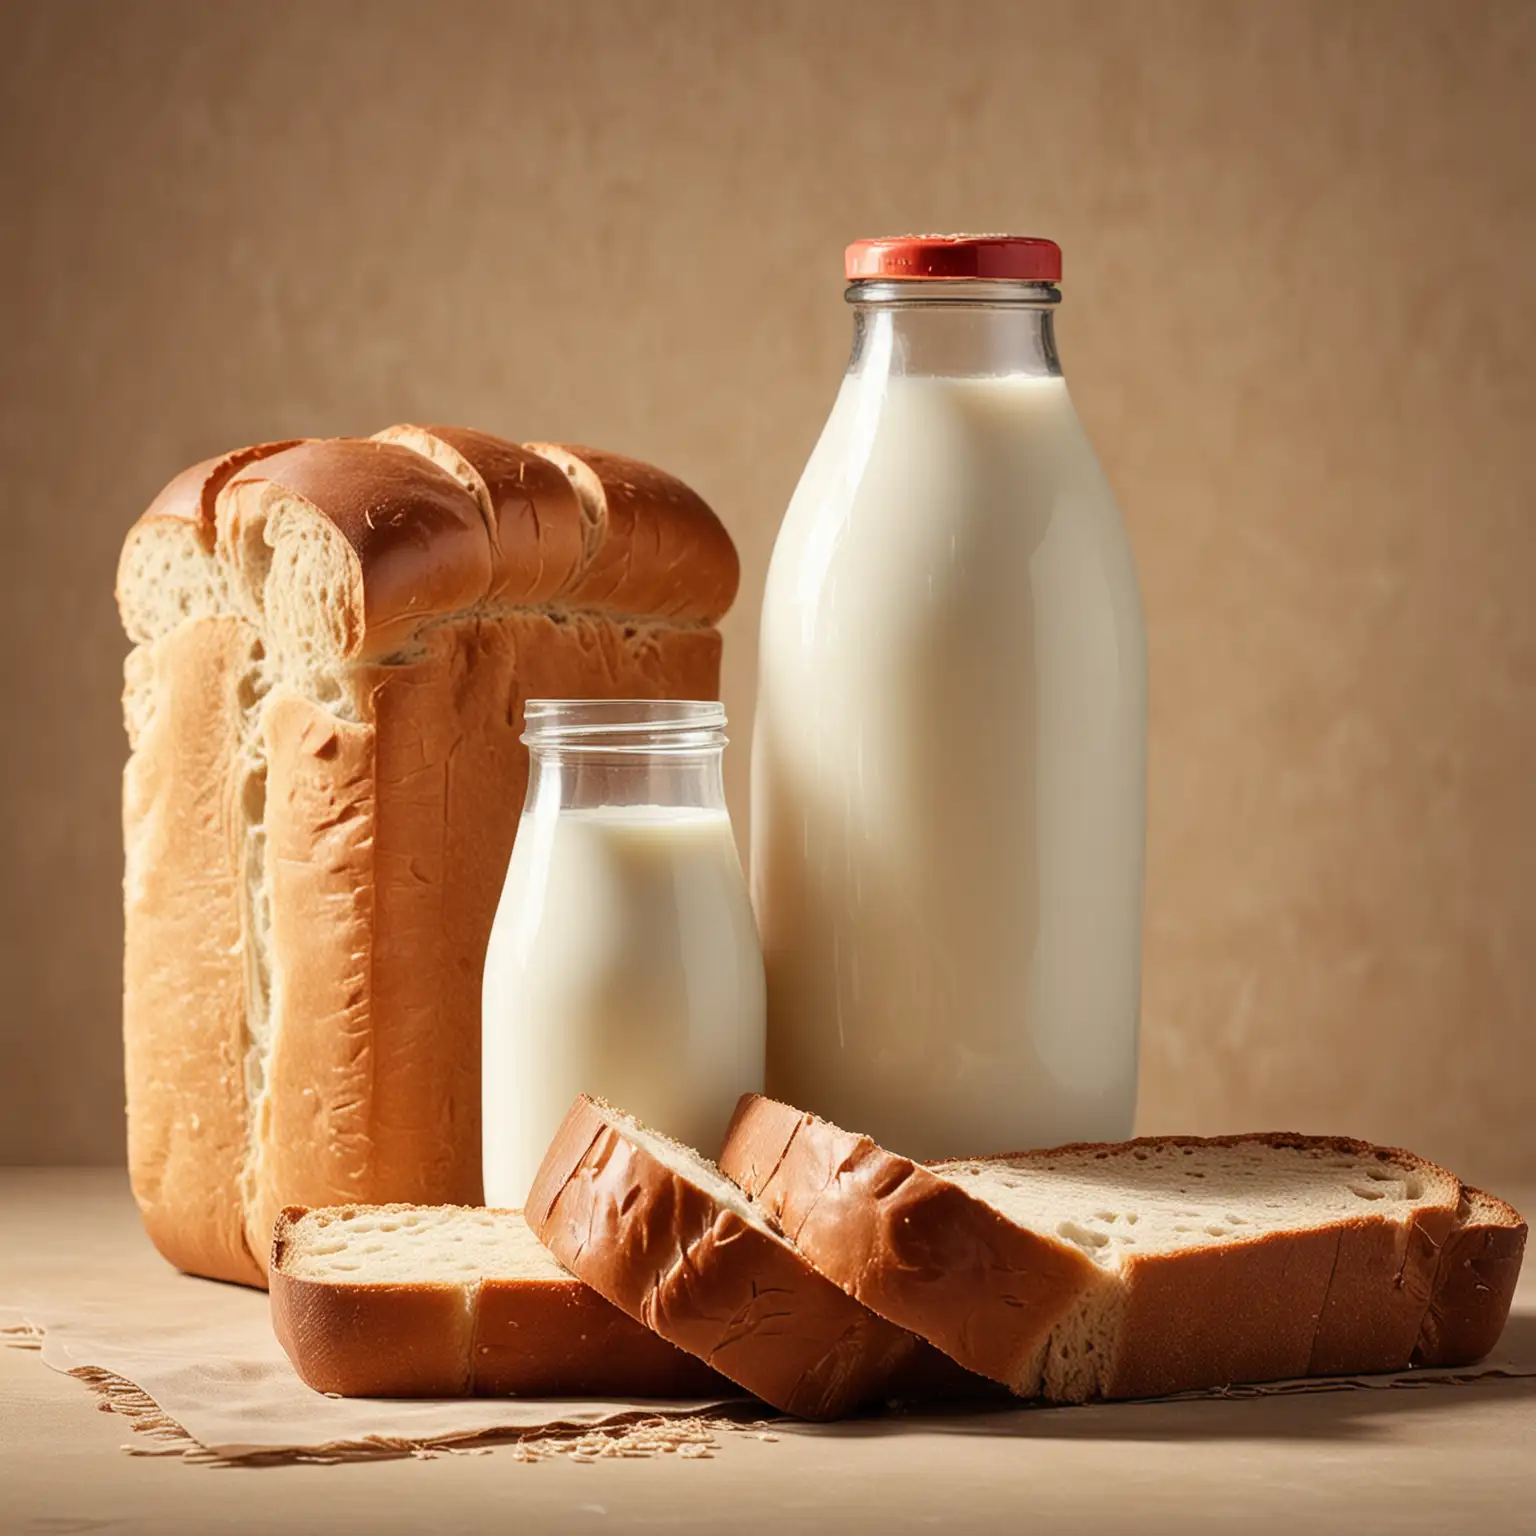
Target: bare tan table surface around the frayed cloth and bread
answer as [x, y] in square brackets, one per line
[1428, 1460]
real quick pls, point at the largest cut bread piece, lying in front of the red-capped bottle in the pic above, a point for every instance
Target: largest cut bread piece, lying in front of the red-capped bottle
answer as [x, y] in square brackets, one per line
[1136, 1270]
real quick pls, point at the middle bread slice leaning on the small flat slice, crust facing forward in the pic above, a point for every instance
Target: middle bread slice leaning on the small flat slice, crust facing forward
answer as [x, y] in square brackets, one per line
[658, 1231]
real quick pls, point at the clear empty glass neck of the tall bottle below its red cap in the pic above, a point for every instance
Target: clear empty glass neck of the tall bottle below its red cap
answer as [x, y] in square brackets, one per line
[955, 329]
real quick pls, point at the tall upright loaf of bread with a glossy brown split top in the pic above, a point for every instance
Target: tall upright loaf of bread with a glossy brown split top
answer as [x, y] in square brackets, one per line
[333, 647]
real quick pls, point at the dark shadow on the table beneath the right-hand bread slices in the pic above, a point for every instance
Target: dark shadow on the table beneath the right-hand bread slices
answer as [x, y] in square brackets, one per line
[1326, 1415]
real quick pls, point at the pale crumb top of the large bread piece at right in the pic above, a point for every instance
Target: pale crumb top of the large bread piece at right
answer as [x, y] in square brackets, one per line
[1171, 1197]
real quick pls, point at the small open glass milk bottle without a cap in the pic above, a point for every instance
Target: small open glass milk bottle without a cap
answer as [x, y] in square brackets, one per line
[624, 959]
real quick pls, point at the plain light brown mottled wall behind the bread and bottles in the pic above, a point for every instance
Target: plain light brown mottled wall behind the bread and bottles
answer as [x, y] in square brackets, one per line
[1302, 288]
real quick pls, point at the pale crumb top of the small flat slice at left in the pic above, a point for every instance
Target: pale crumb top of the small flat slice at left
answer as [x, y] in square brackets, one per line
[412, 1245]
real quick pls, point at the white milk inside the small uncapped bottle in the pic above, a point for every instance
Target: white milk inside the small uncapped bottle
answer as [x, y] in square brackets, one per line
[624, 964]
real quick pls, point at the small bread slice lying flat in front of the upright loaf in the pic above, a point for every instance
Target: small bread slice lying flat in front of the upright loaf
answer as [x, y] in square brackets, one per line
[439, 1302]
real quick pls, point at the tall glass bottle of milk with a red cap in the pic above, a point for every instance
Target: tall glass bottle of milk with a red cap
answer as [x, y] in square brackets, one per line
[950, 756]
